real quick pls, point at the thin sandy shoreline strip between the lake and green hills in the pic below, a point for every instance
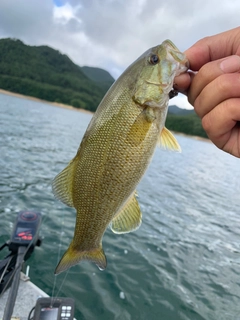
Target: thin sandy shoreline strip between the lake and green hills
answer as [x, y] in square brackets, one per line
[65, 106]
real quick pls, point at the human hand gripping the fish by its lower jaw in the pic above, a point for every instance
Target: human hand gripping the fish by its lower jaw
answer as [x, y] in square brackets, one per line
[214, 90]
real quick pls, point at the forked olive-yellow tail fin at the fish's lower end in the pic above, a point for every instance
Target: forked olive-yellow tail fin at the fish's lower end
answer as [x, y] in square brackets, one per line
[72, 257]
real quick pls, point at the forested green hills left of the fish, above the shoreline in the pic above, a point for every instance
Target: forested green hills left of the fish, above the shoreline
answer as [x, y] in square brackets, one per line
[47, 74]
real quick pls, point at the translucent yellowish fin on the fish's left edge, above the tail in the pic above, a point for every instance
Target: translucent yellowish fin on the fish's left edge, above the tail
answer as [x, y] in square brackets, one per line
[62, 184]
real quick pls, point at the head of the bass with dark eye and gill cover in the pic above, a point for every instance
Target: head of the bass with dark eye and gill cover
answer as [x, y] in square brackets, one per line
[159, 66]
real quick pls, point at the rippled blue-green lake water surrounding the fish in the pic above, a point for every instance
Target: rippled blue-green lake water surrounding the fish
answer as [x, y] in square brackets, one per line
[184, 261]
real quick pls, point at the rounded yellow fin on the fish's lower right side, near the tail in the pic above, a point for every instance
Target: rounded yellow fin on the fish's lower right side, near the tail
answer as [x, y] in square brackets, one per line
[129, 218]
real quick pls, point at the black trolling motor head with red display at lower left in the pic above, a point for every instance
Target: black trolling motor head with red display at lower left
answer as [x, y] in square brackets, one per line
[25, 230]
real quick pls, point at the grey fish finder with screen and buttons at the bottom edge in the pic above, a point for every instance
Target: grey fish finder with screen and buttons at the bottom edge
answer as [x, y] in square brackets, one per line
[54, 309]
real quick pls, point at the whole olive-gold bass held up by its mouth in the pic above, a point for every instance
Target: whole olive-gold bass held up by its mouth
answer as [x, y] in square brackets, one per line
[100, 181]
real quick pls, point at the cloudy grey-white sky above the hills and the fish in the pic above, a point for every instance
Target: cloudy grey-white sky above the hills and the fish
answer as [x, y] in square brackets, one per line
[111, 34]
